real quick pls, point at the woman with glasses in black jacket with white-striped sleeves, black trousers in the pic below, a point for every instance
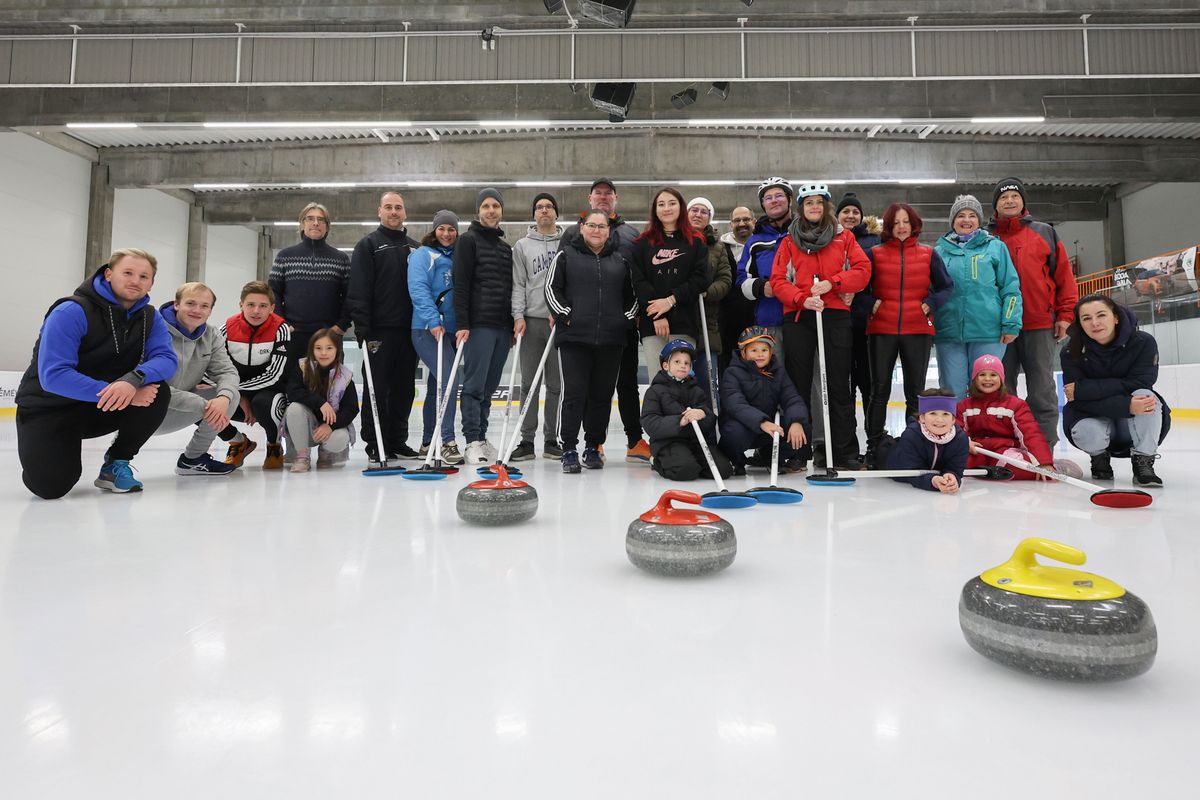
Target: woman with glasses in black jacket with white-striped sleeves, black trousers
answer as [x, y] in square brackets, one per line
[592, 298]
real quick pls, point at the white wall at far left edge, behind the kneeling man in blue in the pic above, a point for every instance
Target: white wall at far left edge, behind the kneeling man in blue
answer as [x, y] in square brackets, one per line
[44, 203]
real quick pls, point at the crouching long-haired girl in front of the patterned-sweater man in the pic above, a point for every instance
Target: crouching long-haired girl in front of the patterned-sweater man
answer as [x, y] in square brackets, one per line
[322, 405]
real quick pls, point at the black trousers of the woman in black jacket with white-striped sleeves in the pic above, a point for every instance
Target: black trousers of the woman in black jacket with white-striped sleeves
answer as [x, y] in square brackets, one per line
[590, 375]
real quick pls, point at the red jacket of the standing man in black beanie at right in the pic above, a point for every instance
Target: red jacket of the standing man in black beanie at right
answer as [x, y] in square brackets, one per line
[1048, 286]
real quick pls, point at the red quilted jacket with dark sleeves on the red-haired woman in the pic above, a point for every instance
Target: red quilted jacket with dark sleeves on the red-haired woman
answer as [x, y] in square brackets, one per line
[905, 275]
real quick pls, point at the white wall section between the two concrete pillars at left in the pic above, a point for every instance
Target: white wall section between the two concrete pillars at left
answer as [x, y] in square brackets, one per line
[158, 224]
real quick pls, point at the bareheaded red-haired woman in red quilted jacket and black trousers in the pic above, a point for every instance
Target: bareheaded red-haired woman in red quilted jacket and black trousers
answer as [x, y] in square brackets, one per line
[909, 284]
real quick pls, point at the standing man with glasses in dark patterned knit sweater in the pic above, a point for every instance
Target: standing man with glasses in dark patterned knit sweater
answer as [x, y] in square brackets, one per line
[310, 282]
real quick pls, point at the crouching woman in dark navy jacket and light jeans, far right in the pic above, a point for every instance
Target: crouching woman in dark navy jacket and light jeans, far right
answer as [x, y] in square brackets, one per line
[1109, 370]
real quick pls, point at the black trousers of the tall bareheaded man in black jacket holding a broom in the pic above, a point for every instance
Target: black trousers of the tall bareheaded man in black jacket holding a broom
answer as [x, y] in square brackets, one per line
[394, 375]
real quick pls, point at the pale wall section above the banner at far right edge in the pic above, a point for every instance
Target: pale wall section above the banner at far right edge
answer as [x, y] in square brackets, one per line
[1161, 219]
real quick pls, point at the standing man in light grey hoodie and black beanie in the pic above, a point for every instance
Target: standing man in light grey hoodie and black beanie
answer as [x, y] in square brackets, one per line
[531, 261]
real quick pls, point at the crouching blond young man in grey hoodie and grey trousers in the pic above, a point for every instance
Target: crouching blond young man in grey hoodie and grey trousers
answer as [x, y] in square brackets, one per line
[205, 389]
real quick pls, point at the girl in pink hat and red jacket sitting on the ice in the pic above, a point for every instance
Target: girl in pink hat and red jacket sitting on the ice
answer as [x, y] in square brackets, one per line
[999, 422]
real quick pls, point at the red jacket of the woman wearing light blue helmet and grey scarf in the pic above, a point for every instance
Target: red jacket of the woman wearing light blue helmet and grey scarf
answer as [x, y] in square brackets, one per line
[842, 262]
